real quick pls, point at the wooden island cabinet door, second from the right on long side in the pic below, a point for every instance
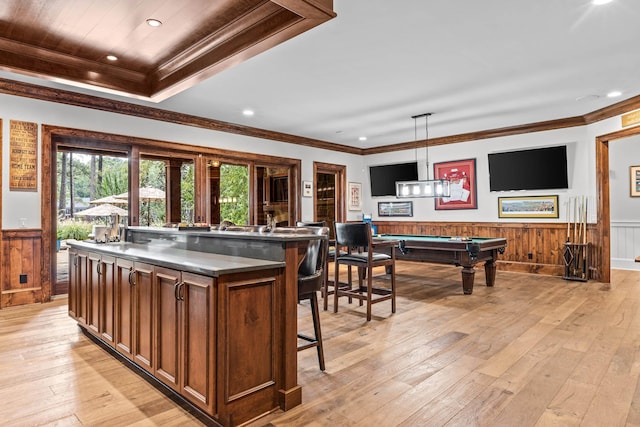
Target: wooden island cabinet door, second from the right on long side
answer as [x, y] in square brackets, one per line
[168, 310]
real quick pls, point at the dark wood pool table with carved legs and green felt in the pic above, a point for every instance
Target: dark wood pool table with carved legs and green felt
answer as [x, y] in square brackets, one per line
[460, 251]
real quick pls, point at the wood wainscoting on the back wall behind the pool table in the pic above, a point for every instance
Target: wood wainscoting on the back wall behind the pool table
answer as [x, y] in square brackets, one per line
[531, 247]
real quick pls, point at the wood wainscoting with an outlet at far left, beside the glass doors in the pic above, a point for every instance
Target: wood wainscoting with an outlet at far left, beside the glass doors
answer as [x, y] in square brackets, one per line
[23, 279]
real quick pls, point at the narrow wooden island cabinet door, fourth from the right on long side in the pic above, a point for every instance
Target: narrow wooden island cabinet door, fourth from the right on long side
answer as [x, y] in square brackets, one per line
[124, 307]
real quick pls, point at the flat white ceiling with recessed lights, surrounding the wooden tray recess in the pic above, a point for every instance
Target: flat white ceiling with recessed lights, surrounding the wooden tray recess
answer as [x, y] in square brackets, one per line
[475, 65]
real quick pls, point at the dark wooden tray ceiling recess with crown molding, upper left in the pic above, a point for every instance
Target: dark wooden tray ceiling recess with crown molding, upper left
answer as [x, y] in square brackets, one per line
[69, 40]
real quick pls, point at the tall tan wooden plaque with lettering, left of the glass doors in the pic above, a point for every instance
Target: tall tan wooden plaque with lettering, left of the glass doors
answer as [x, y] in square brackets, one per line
[23, 156]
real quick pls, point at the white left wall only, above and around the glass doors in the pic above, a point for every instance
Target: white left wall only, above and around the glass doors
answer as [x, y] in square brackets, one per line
[17, 204]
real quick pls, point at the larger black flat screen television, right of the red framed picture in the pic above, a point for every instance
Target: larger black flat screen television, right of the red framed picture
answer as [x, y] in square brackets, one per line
[535, 169]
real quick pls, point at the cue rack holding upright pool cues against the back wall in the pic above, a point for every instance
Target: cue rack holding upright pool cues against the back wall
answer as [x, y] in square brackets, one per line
[576, 248]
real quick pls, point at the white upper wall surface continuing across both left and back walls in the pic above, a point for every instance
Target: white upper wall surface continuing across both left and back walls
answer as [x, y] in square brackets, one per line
[580, 142]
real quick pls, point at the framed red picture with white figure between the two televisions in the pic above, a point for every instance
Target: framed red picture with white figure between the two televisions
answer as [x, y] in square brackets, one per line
[462, 177]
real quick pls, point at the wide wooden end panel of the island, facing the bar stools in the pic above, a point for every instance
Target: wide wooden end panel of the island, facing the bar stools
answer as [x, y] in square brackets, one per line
[251, 346]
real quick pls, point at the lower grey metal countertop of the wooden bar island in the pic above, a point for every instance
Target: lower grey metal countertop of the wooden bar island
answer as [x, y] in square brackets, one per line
[209, 264]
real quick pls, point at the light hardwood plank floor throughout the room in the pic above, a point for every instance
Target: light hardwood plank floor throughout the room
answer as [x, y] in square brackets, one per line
[532, 351]
